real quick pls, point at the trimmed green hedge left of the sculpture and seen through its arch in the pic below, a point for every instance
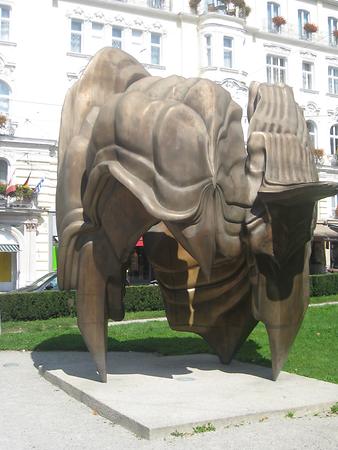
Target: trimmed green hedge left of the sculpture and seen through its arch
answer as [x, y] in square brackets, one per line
[48, 304]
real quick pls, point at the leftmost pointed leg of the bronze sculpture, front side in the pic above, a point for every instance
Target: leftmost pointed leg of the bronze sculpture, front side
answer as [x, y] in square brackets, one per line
[91, 309]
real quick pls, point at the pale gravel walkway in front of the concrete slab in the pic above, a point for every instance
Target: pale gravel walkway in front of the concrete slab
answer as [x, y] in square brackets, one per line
[35, 414]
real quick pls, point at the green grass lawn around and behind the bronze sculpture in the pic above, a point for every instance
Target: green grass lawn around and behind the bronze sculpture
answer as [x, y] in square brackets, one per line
[314, 353]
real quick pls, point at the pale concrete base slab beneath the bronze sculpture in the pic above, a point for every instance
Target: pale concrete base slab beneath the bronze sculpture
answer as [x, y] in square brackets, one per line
[153, 395]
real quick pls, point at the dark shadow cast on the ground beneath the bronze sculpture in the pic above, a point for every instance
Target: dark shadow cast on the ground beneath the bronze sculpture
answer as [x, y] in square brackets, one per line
[130, 358]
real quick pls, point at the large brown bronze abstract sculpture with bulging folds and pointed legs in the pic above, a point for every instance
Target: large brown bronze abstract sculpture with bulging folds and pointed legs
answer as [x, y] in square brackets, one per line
[227, 228]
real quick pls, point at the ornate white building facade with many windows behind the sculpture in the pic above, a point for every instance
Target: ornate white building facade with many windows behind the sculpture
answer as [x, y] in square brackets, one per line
[45, 45]
